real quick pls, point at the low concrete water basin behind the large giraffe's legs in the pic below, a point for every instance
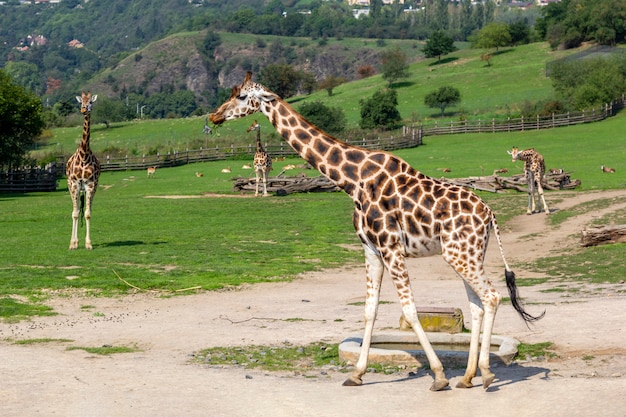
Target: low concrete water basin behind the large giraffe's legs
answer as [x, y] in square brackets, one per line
[399, 347]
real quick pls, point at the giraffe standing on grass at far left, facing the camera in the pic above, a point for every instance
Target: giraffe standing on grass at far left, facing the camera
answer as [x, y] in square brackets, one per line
[83, 170]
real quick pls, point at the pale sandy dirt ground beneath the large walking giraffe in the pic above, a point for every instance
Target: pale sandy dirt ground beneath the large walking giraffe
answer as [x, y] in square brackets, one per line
[587, 327]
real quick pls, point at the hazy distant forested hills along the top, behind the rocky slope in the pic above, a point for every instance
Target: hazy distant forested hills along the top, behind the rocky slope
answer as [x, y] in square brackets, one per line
[55, 49]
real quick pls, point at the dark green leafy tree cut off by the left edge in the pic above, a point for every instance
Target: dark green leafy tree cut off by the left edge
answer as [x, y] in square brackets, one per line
[21, 118]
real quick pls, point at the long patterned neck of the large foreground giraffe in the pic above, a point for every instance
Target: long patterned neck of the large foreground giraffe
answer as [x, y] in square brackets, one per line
[335, 159]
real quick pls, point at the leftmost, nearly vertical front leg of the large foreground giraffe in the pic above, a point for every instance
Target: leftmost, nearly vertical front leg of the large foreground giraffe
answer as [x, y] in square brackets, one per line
[374, 270]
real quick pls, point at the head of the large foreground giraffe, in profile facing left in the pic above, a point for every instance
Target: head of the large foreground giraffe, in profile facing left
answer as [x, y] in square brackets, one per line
[245, 99]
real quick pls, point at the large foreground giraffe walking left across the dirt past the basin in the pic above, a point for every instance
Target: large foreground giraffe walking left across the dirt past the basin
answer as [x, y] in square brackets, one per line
[399, 212]
